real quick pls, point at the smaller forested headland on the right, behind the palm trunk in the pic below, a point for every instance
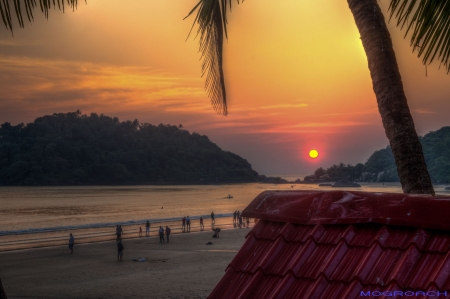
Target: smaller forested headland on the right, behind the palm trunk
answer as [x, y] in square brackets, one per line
[380, 167]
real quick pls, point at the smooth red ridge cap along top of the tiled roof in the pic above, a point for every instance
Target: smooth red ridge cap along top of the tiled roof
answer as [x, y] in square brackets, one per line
[351, 207]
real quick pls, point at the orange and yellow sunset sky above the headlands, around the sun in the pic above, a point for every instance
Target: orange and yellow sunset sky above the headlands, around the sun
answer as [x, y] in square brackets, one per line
[296, 77]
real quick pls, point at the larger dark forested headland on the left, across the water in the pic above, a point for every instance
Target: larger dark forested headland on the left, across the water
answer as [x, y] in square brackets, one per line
[76, 149]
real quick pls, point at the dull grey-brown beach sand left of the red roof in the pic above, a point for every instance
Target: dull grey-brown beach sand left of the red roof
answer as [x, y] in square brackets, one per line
[184, 268]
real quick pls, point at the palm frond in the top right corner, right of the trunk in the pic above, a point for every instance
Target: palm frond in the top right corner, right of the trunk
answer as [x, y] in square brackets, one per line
[429, 22]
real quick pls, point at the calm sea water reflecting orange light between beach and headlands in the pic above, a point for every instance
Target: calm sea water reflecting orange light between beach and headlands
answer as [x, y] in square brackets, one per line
[44, 216]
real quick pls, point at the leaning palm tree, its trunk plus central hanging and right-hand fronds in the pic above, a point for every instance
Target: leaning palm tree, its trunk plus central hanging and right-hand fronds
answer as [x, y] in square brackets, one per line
[429, 21]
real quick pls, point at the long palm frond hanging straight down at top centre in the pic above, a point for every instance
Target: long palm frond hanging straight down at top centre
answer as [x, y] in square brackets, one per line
[212, 20]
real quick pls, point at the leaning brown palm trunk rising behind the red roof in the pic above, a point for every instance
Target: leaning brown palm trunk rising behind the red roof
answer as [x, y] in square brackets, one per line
[387, 85]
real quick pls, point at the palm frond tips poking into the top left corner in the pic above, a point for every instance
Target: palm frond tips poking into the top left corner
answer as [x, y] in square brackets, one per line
[29, 5]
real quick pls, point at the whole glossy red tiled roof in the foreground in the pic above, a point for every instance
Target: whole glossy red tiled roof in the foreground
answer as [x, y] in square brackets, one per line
[336, 244]
